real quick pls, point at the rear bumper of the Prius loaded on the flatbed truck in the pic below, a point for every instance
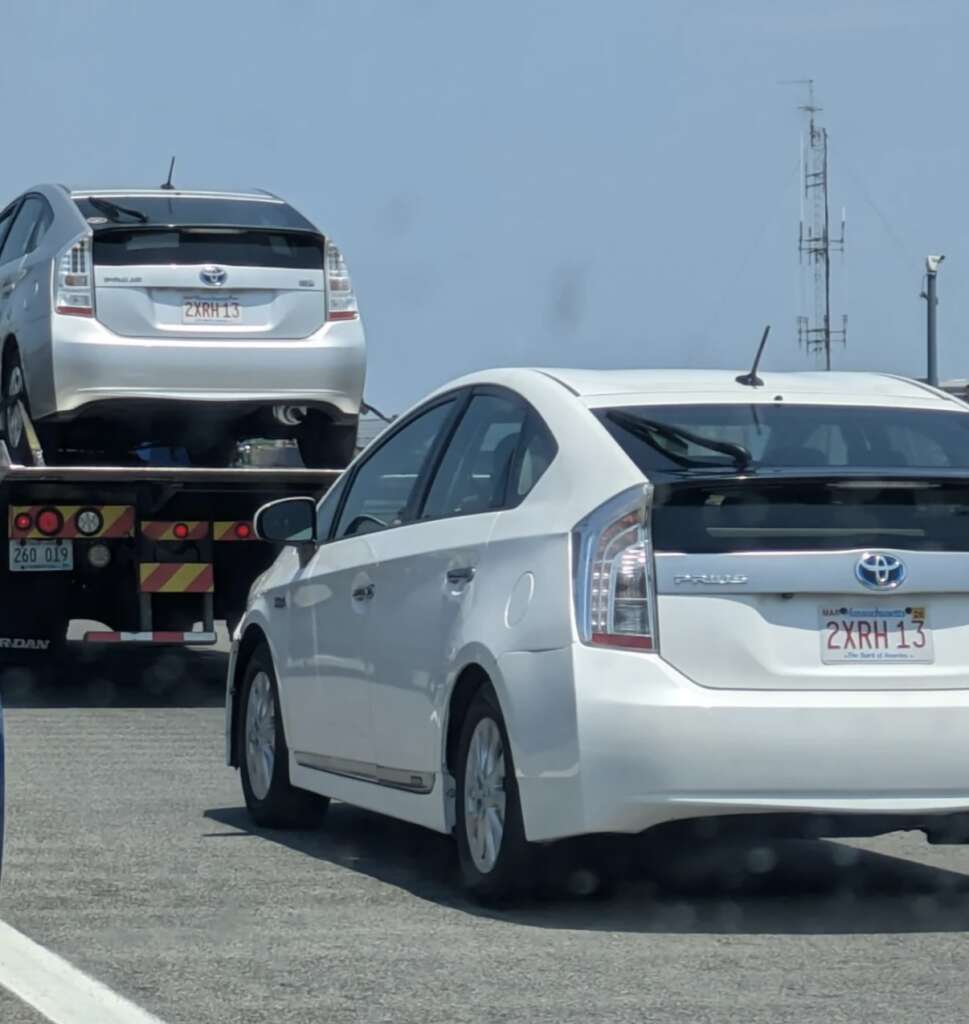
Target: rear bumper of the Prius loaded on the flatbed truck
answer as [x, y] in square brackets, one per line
[93, 365]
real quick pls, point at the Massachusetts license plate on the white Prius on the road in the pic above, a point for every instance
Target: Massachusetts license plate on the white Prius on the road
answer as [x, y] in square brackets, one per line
[869, 634]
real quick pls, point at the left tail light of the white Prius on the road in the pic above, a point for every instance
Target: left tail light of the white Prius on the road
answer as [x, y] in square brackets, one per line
[613, 574]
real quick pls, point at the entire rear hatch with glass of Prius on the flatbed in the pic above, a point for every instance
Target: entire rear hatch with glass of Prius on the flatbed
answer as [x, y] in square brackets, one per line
[208, 270]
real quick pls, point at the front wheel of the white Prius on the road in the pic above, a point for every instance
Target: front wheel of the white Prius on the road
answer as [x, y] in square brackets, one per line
[272, 801]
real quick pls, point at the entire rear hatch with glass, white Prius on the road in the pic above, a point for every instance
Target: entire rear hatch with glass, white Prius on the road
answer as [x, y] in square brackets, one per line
[830, 577]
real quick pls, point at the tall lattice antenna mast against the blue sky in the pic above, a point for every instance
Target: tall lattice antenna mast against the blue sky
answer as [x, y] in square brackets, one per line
[815, 242]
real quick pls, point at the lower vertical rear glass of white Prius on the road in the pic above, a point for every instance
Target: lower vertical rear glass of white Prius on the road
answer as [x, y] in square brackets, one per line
[750, 515]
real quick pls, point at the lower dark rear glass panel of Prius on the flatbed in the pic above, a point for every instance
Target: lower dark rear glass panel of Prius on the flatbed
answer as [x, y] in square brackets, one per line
[145, 247]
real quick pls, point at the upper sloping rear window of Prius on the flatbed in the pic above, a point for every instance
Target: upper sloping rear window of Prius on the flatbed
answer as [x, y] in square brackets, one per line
[209, 211]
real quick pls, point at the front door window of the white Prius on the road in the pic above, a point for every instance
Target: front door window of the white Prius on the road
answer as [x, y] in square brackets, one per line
[384, 488]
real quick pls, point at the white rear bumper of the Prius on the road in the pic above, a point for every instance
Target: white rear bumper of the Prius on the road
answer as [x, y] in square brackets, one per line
[648, 747]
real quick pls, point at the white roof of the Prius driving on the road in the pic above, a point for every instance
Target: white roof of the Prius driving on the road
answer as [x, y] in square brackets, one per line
[610, 388]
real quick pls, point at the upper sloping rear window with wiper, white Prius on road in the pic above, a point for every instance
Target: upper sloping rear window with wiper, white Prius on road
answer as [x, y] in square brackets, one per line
[790, 437]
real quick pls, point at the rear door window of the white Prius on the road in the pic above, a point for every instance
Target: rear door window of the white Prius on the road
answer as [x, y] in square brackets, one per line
[474, 474]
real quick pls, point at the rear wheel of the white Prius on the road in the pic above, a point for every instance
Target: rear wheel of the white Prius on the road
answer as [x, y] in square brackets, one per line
[495, 861]
